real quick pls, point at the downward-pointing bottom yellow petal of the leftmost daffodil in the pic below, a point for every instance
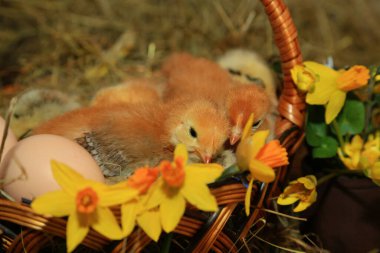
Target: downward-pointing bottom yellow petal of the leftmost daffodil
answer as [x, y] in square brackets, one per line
[75, 232]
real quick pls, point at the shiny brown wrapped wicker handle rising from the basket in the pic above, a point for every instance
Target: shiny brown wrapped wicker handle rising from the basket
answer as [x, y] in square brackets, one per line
[291, 104]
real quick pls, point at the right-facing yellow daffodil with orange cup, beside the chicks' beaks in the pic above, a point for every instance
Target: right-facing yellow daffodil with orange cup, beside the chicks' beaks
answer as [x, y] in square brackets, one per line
[258, 157]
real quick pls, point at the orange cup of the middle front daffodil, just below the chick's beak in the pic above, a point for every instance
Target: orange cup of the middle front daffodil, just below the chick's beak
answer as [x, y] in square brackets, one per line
[173, 173]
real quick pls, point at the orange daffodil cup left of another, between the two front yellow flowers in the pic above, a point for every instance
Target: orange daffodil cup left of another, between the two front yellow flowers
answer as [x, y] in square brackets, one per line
[143, 178]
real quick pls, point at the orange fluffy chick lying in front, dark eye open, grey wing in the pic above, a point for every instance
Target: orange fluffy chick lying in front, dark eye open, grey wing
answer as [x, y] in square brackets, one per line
[122, 138]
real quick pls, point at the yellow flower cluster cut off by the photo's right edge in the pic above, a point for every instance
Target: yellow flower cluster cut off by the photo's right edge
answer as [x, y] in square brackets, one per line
[360, 156]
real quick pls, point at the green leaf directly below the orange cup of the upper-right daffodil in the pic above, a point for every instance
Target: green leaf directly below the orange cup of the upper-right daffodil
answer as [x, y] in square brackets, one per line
[351, 120]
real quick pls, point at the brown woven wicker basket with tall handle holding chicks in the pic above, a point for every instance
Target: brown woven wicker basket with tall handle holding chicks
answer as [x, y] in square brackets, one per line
[203, 232]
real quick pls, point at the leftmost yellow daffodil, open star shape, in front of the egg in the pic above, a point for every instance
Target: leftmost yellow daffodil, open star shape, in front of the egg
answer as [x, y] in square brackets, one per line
[86, 203]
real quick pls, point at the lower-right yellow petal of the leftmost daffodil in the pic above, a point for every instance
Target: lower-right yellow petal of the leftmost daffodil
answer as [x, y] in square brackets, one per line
[106, 224]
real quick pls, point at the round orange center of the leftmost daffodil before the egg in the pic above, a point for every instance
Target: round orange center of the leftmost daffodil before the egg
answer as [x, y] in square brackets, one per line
[87, 200]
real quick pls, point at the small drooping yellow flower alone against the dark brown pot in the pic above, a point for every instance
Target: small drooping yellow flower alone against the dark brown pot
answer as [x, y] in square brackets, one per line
[303, 189]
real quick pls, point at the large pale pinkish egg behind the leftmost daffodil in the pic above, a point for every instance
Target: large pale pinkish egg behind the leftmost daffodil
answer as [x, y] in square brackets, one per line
[26, 170]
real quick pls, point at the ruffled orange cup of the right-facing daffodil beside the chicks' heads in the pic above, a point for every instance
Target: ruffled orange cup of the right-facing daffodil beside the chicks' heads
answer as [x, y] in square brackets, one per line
[273, 154]
